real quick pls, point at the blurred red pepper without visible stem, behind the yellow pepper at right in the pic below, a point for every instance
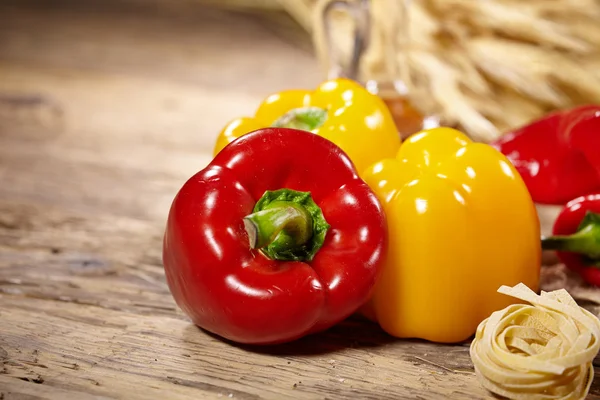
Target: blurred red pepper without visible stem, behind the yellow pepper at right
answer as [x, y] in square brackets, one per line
[557, 155]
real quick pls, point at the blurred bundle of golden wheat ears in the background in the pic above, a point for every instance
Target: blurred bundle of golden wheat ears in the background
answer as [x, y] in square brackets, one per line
[486, 66]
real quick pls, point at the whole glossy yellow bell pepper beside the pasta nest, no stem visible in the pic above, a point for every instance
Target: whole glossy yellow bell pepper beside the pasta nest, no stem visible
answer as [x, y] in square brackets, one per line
[461, 223]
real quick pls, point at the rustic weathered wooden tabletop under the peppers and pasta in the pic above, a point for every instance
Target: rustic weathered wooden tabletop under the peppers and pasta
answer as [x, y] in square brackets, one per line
[105, 110]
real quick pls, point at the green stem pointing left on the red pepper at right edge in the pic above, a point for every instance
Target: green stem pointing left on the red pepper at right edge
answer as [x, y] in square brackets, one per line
[585, 241]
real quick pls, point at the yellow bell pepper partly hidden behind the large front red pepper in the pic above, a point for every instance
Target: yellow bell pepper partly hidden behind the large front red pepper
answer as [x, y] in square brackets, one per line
[340, 110]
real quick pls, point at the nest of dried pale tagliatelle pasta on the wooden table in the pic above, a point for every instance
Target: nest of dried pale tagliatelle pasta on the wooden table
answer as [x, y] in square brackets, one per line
[543, 350]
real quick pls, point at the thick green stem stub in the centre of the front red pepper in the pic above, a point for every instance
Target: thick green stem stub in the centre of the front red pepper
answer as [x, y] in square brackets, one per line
[284, 226]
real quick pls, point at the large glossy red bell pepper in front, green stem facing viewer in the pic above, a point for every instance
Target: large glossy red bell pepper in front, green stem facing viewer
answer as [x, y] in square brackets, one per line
[275, 239]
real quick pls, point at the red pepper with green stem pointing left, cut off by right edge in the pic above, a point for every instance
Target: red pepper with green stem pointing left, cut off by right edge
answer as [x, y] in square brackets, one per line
[576, 237]
